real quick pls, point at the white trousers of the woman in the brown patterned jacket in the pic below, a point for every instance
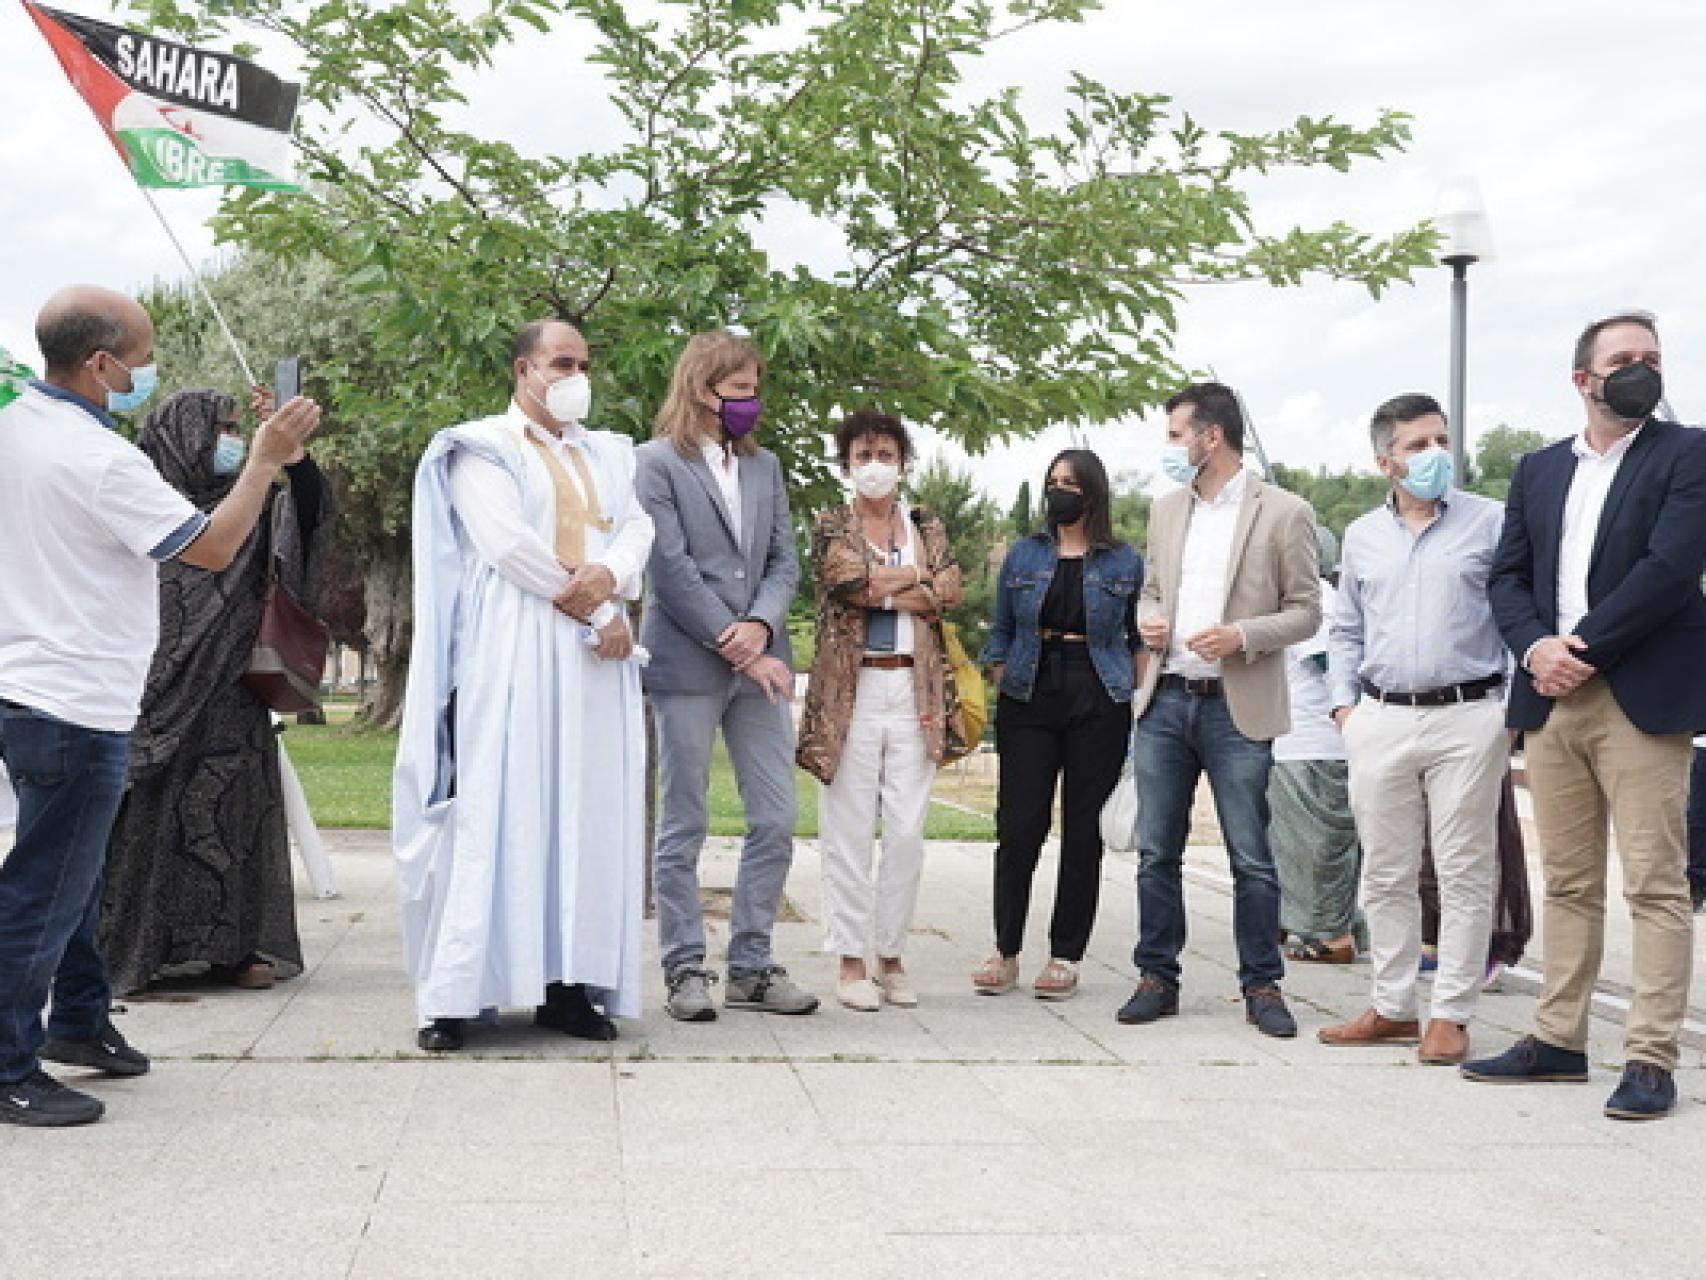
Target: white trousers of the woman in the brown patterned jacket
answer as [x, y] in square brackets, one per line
[885, 776]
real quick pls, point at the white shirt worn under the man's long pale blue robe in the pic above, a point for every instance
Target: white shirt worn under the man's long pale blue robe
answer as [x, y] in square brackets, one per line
[490, 509]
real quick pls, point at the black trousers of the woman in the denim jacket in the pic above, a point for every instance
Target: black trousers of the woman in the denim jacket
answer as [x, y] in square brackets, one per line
[1071, 730]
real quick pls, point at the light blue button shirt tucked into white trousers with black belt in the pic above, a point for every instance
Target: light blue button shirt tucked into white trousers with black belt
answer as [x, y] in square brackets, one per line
[1413, 610]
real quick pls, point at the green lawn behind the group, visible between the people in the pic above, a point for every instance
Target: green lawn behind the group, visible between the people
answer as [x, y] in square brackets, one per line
[347, 774]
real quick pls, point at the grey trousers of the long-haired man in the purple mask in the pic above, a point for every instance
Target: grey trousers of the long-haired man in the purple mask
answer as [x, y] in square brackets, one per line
[760, 738]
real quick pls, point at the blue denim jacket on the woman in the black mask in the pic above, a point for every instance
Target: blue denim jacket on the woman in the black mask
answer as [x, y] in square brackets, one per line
[1113, 576]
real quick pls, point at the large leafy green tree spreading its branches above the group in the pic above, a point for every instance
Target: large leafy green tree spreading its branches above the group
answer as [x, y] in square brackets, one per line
[990, 279]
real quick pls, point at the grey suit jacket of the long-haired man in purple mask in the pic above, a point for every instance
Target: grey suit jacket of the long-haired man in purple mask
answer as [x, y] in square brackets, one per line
[702, 578]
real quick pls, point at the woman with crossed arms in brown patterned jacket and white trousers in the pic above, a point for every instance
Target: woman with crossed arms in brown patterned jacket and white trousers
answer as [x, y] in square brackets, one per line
[874, 723]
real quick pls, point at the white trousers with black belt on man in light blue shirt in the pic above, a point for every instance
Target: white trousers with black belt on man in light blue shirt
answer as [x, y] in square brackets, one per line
[1429, 774]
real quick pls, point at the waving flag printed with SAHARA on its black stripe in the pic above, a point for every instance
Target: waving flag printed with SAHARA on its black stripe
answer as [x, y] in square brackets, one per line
[178, 115]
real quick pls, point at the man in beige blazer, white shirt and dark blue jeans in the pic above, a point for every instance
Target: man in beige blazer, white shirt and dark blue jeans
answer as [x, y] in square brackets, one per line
[1231, 583]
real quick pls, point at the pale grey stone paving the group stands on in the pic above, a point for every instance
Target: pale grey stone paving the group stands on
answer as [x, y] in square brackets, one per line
[298, 1132]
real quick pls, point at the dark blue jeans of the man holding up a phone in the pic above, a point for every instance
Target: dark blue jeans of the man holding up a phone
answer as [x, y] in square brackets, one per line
[69, 784]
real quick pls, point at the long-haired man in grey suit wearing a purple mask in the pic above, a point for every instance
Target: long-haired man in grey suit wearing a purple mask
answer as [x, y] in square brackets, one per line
[721, 579]
